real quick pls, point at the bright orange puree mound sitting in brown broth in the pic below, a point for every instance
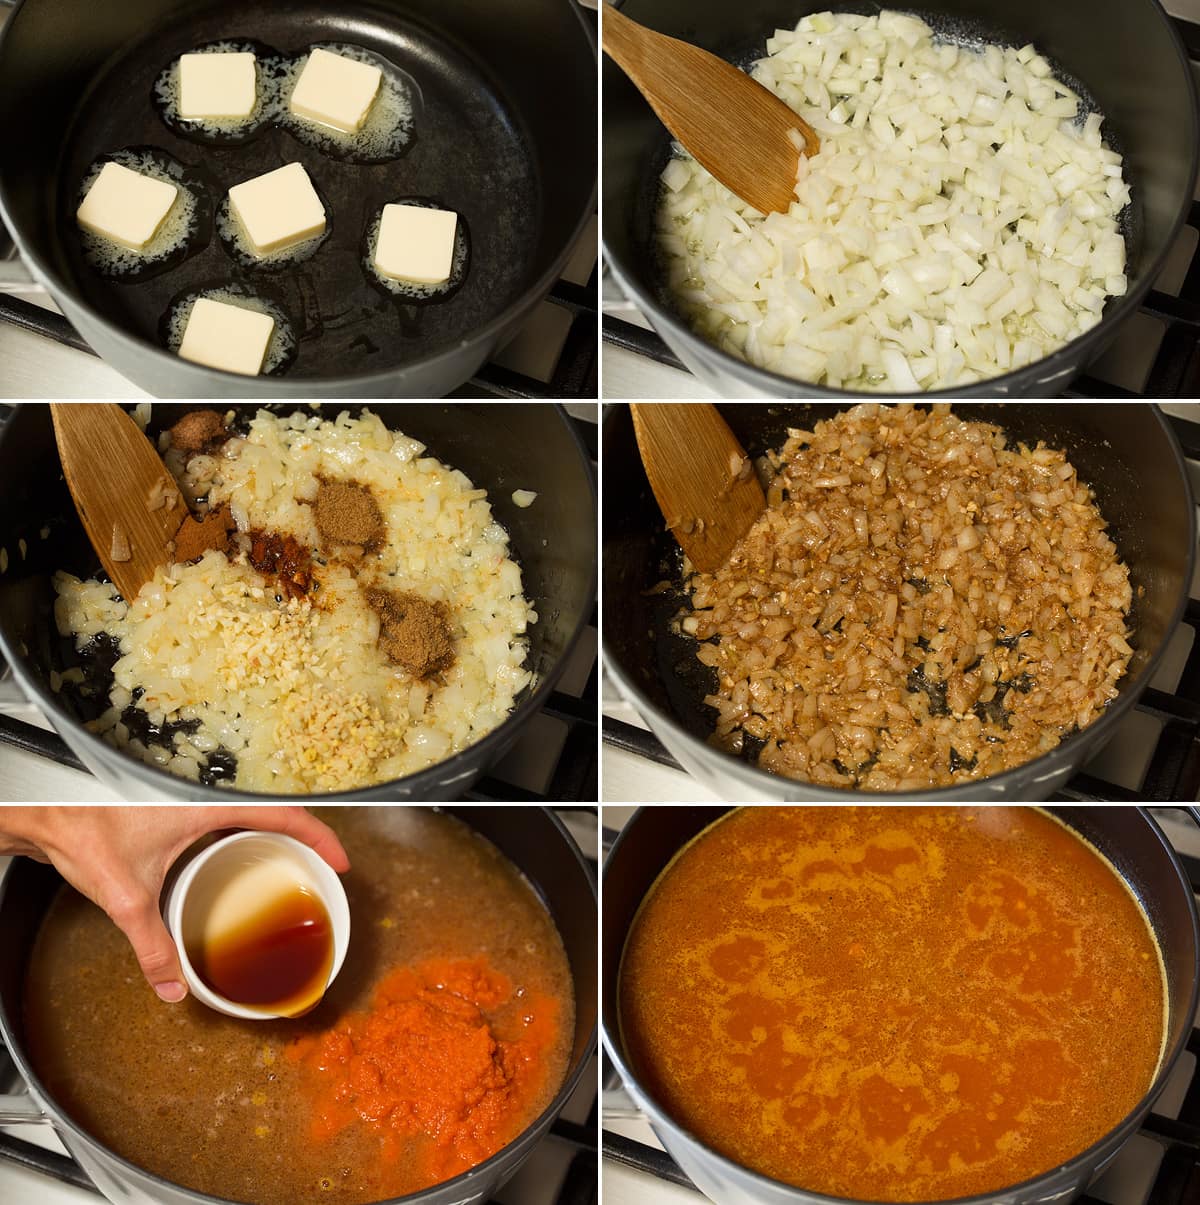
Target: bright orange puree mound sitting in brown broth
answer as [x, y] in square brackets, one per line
[448, 1062]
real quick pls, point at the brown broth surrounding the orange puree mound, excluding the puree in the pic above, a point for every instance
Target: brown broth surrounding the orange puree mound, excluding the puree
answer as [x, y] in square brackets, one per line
[227, 1107]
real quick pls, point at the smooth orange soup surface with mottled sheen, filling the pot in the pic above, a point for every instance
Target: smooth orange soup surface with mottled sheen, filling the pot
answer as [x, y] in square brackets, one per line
[893, 1004]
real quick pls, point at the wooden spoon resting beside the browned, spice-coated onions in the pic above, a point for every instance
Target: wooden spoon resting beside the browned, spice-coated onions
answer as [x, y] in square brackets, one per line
[702, 478]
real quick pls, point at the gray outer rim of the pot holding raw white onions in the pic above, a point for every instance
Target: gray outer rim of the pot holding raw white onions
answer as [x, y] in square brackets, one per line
[1066, 361]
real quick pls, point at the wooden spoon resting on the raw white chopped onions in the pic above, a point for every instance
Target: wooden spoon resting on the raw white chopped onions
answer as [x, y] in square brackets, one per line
[727, 121]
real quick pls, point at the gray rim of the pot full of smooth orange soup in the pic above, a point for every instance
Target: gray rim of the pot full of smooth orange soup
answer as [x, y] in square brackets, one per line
[1079, 1166]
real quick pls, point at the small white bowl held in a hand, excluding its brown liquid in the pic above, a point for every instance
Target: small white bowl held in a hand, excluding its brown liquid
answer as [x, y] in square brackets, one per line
[202, 881]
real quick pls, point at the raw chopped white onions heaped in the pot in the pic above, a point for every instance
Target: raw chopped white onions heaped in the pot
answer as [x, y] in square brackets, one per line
[960, 221]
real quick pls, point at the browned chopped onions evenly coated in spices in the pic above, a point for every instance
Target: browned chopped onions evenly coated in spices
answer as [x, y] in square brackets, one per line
[920, 606]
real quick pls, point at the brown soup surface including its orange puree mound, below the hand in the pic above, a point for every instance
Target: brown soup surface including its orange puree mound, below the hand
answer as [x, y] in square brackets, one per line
[448, 1032]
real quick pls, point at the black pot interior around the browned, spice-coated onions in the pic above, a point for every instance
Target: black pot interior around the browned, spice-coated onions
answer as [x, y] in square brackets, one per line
[1125, 451]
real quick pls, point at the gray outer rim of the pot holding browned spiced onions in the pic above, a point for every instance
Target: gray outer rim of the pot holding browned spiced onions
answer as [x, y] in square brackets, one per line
[754, 779]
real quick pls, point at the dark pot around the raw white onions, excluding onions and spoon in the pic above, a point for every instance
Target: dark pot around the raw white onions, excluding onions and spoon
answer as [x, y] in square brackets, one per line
[1113, 48]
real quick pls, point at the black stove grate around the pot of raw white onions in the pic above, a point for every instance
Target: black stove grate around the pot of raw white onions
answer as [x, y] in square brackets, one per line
[1175, 372]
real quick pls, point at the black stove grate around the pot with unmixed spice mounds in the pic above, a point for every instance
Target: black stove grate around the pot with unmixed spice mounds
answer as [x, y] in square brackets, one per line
[575, 778]
